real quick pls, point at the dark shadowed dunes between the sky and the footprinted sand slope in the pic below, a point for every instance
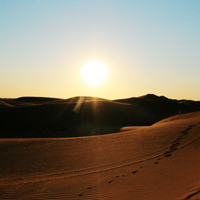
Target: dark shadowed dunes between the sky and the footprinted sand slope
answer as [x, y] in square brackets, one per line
[31, 117]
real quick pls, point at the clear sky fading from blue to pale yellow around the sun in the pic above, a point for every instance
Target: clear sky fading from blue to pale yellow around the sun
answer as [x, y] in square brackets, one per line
[147, 46]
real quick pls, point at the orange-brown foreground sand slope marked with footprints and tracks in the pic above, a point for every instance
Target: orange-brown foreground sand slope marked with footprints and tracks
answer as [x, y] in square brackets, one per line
[160, 162]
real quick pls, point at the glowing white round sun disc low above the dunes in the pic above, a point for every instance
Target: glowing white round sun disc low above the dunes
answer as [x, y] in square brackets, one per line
[94, 73]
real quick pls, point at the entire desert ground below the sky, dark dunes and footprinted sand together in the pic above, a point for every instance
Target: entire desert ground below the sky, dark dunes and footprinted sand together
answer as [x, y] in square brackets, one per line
[90, 148]
